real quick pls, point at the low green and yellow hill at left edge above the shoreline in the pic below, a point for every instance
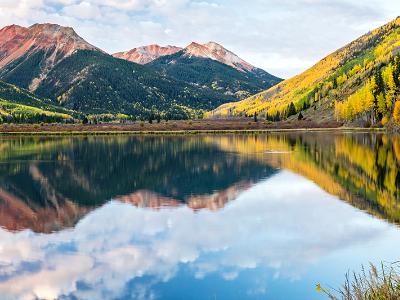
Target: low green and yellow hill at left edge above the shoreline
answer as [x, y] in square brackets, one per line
[19, 105]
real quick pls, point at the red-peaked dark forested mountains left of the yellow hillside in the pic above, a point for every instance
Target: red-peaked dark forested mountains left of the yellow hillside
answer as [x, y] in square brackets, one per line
[55, 63]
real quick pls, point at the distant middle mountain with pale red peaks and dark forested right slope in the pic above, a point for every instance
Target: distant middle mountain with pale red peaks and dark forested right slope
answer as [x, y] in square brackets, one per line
[208, 66]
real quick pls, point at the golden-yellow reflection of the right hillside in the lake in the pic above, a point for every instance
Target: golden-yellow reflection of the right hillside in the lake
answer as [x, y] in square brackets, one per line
[362, 168]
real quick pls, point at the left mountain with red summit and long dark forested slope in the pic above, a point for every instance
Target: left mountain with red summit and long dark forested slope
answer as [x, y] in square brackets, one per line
[54, 62]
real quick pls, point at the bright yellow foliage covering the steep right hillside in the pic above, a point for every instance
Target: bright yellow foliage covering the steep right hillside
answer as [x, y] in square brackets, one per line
[313, 83]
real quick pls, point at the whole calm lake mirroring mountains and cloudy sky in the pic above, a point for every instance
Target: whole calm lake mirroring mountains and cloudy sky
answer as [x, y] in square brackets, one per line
[258, 216]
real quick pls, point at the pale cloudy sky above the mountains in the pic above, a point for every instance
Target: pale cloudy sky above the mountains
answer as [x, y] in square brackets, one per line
[284, 37]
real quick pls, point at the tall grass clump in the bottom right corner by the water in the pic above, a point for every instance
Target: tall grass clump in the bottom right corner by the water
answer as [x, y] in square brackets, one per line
[373, 284]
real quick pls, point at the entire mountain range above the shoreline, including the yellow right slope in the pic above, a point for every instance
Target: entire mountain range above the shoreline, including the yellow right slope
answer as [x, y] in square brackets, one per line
[357, 85]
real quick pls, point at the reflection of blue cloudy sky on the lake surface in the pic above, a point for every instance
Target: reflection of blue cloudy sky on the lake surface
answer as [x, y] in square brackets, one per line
[277, 239]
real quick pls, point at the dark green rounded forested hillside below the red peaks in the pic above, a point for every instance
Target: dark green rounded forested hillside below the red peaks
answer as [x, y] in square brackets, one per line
[94, 82]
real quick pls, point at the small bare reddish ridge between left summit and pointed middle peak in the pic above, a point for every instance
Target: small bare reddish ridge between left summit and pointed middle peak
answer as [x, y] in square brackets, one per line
[147, 54]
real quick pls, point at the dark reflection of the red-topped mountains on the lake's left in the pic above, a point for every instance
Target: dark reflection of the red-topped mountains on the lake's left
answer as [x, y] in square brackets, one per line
[48, 184]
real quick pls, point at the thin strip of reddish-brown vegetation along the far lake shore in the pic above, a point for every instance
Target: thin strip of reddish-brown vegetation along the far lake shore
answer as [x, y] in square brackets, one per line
[175, 127]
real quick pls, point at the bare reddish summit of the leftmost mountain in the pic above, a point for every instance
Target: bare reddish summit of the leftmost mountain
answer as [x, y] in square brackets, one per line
[28, 54]
